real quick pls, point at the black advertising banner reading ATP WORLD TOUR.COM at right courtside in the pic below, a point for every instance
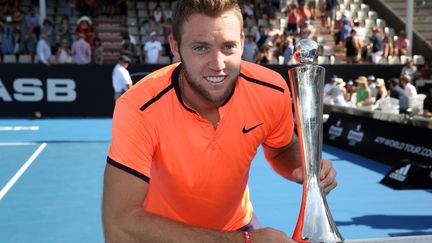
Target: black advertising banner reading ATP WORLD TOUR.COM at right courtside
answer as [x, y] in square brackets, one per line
[384, 141]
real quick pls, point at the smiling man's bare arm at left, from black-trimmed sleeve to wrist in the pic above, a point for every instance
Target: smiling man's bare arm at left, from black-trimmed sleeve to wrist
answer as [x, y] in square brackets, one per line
[125, 220]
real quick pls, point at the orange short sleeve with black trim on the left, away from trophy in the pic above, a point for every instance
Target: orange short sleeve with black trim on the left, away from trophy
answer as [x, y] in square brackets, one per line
[133, 141]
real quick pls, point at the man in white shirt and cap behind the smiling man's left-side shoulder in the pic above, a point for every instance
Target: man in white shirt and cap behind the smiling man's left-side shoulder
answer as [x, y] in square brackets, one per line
[120, 76]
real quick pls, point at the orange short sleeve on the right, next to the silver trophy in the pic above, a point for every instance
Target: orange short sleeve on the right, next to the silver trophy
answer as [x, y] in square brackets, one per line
[283, 126]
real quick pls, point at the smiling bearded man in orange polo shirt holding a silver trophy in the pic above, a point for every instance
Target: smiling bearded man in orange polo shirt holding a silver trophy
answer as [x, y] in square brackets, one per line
[184, 138]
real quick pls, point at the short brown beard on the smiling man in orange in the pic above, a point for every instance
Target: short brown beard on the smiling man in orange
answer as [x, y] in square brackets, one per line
[200, 89]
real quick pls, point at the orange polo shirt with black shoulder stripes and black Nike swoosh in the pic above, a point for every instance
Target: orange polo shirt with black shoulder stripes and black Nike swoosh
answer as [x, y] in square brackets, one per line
[197, 174]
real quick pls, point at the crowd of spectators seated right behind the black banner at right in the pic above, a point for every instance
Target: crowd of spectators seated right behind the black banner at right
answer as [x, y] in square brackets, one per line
[396, 95]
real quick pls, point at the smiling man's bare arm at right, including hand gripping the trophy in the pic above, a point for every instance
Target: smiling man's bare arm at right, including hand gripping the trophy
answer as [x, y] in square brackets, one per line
[286, 161]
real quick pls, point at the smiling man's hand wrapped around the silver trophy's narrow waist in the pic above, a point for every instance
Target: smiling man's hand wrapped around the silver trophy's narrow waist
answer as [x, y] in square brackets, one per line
[327, 176]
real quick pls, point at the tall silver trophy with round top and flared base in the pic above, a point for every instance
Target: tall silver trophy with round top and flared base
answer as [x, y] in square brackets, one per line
[315, 223]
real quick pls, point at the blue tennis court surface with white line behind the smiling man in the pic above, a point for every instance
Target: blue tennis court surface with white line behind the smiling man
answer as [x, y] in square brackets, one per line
[51, 173]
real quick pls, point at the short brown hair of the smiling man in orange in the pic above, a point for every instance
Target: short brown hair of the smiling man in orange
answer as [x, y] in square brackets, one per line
[213, 8]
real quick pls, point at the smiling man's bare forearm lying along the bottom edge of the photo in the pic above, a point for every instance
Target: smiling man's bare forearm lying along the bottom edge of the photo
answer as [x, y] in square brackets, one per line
[140, 226]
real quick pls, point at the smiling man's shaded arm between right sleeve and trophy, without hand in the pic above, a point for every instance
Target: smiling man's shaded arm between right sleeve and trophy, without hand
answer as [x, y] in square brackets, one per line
[284, 161]
